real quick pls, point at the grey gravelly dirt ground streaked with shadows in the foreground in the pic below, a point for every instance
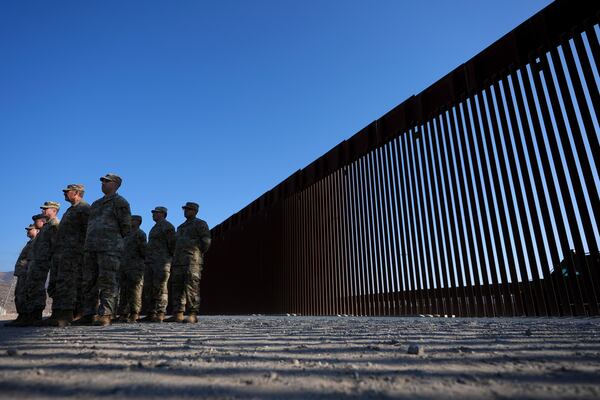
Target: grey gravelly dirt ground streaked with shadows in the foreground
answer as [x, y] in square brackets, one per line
[306, 357]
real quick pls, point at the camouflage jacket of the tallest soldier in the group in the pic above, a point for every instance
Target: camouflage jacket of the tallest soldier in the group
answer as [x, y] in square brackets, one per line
[109, 223]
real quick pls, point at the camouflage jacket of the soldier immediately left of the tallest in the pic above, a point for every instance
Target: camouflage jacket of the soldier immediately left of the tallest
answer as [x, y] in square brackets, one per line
[70, 237]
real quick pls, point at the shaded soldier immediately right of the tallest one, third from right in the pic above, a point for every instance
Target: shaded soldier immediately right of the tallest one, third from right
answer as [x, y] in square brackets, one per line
[132, 272]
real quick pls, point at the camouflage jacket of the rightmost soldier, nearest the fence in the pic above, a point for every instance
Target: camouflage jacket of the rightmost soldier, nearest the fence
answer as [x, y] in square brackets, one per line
[192, 241]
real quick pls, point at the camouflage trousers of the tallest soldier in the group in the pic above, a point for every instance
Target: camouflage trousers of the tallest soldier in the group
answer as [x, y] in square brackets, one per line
[100, 282]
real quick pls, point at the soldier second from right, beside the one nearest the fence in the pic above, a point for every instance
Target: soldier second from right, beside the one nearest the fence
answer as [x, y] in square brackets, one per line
[161, 245]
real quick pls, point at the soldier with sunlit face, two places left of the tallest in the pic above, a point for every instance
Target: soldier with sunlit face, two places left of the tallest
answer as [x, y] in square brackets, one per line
[37, 271]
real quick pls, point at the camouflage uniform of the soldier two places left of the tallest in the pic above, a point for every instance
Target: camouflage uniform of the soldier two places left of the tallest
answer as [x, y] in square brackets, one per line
[37, 271]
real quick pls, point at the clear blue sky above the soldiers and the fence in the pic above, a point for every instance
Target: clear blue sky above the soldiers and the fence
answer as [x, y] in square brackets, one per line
[212, 102]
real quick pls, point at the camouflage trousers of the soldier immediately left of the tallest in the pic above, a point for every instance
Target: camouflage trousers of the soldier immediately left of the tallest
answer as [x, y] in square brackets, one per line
[68, 282]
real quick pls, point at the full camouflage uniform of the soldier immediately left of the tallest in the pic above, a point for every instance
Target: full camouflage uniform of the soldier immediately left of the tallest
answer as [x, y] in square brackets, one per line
[68, 257]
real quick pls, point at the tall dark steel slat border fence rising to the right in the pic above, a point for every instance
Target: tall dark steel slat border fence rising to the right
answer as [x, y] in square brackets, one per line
[477, 197]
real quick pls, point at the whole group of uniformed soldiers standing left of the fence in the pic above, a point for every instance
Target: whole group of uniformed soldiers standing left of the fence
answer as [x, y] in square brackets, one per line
[101, 269]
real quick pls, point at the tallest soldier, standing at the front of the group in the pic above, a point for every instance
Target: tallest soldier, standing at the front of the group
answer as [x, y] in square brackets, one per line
[108, 225]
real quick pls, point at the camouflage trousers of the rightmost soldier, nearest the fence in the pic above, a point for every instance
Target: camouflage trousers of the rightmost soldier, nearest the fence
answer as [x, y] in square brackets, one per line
[186, 287]
